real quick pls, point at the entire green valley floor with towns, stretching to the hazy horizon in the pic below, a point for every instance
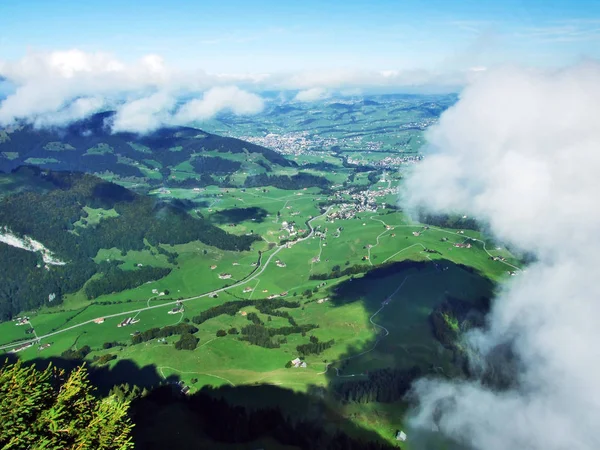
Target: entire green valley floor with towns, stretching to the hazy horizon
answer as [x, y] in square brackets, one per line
[352, 268]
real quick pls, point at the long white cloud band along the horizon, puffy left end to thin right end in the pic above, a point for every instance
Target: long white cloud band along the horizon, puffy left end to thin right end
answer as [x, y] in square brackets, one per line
[54, 88]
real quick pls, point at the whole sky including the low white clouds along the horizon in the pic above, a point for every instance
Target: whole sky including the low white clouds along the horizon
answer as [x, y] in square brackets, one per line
[64, 60]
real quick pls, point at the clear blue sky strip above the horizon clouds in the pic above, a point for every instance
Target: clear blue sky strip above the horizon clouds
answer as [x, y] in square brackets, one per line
[279, 36]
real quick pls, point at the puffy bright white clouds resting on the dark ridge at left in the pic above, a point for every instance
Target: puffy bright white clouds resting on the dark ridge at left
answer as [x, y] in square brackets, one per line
[54, 89]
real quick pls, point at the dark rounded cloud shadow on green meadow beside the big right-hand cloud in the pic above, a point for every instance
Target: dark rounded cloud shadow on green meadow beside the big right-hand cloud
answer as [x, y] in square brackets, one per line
[404, 302]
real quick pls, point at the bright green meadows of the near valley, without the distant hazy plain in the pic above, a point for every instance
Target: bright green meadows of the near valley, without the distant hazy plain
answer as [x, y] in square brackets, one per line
[350, 309]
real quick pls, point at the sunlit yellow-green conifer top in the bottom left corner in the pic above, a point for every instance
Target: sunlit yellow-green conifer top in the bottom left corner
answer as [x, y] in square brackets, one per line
[51, 409]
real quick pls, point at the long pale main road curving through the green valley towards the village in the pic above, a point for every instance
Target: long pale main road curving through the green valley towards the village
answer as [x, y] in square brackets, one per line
[164, 305]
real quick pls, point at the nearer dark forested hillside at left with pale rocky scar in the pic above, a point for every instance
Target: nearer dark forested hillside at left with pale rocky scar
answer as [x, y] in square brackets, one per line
[57, 218]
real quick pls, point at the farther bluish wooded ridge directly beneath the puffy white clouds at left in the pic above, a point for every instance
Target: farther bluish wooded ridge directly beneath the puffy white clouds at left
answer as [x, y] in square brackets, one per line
[90, 146]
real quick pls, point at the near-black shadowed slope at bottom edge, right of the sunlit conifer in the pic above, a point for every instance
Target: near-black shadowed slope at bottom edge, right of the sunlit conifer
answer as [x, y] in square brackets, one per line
[244, 417]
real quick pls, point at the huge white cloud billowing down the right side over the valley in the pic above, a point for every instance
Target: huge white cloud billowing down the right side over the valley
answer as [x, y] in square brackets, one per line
[521, 150]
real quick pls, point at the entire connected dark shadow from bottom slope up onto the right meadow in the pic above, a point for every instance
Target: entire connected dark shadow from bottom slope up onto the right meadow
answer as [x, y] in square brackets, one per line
[402, 301]
